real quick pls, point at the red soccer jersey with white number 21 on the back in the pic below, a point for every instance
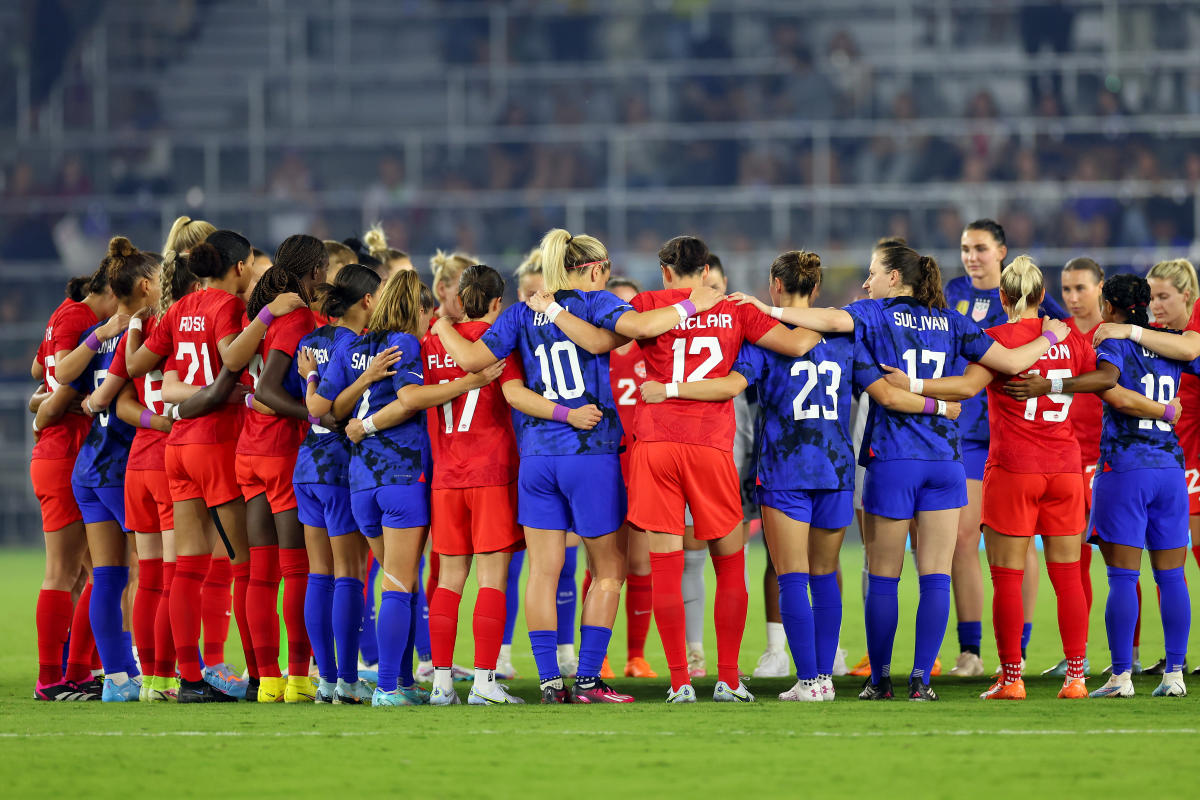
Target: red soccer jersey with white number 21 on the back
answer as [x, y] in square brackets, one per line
[189, 336]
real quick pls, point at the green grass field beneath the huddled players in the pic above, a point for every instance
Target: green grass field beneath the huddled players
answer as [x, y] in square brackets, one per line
[958, 748]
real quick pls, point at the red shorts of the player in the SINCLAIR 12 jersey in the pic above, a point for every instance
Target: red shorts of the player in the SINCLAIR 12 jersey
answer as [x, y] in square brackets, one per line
[668, 477]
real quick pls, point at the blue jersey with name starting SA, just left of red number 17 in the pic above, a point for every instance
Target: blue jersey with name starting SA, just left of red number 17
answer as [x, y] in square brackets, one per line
[397, 455]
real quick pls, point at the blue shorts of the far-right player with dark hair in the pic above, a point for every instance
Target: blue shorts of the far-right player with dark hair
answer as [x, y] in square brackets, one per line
[1142, 508]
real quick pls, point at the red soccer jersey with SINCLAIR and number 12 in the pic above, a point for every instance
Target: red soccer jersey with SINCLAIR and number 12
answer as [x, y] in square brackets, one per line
[706, 346]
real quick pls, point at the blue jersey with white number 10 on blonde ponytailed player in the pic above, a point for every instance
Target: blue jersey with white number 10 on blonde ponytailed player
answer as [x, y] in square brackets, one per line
[563, 372]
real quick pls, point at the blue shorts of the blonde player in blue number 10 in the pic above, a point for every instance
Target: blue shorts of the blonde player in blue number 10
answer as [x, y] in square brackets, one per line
[585, 495]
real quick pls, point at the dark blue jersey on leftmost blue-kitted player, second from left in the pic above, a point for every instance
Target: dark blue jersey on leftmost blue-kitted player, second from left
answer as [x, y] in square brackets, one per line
[103, 460]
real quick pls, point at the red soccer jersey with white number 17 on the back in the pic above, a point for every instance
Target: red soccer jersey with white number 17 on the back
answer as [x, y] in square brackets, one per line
[472, 436]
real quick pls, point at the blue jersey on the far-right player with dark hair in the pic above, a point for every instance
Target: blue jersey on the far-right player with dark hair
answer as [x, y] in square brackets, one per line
[1129, 442]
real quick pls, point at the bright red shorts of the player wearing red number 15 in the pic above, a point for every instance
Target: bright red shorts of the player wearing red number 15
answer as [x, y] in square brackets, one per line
[1024, 504]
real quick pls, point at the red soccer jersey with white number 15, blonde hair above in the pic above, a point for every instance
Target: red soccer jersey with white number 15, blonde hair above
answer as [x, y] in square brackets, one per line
[1036, 436]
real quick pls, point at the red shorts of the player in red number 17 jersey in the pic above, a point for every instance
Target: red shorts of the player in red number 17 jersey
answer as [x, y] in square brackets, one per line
[482, 520]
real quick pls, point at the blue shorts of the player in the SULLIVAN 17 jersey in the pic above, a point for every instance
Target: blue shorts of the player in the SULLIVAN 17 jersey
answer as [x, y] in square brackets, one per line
[898, 490]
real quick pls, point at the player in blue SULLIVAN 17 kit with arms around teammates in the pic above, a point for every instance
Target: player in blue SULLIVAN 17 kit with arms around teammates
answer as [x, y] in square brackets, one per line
[914, 462]
